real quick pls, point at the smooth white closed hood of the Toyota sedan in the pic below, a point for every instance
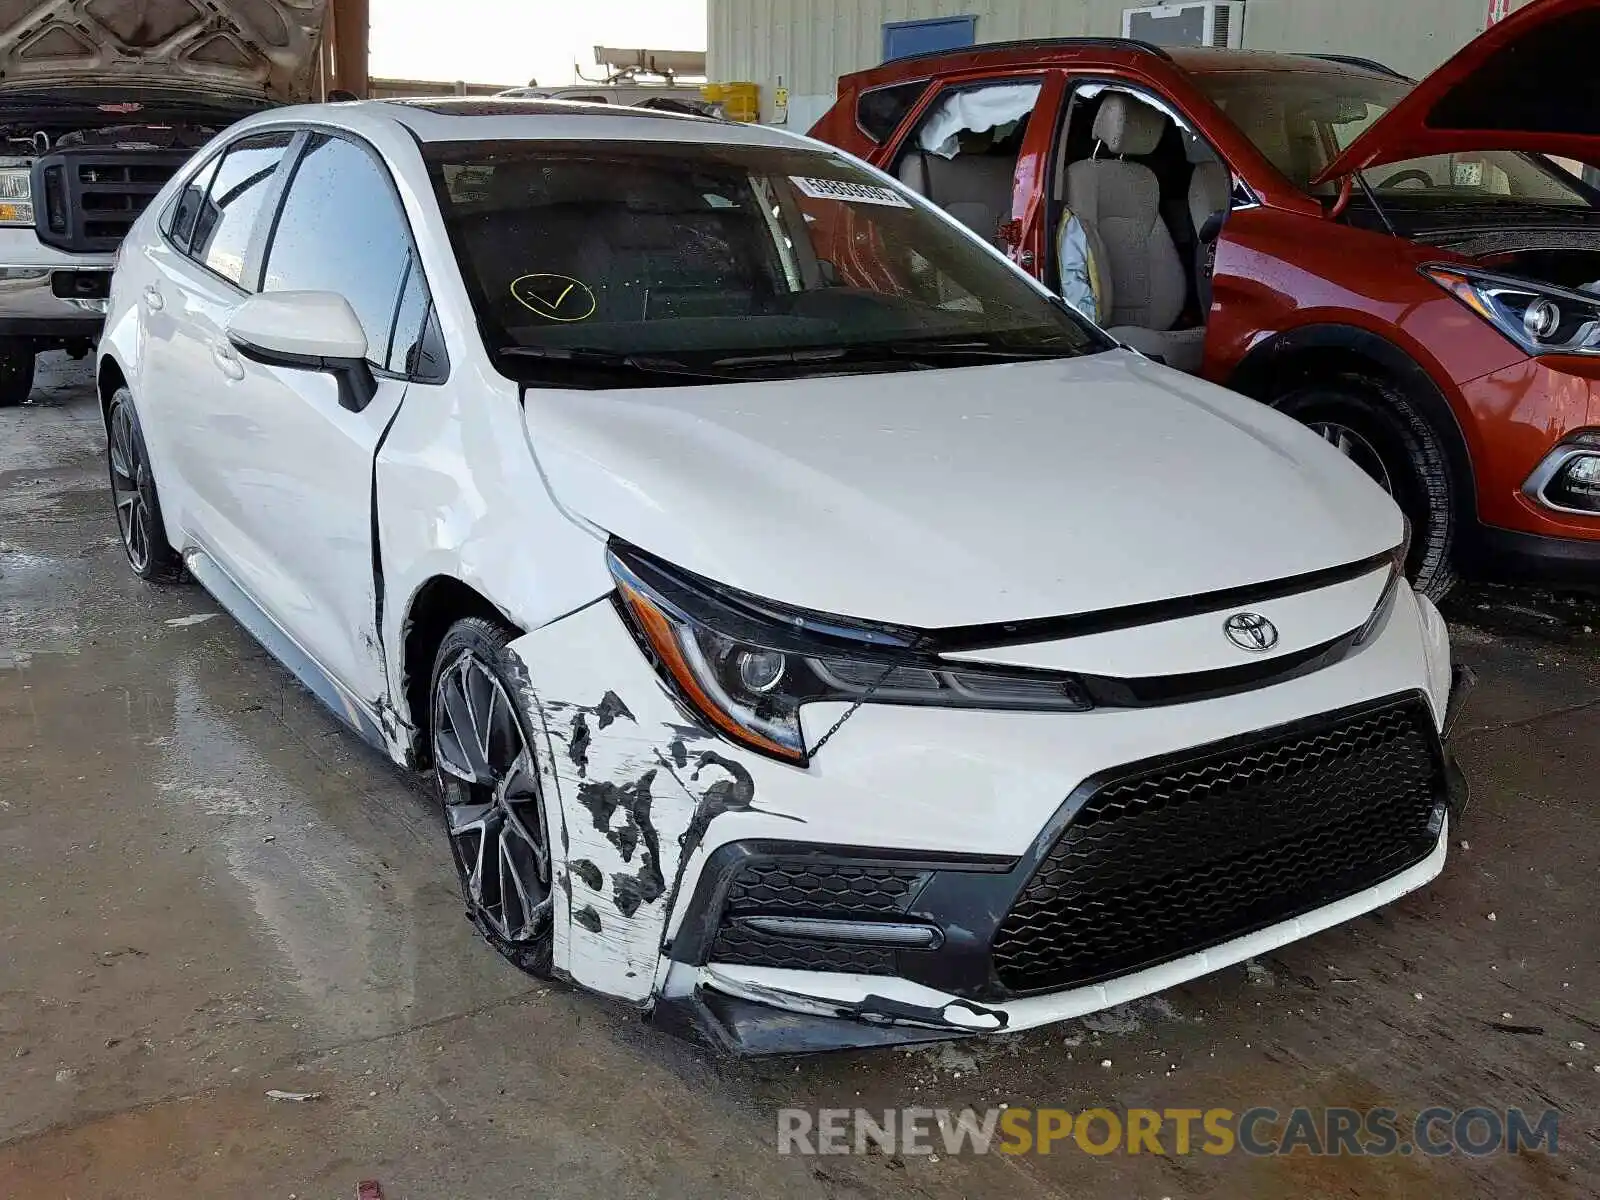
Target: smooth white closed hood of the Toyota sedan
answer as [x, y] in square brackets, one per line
[962, 497]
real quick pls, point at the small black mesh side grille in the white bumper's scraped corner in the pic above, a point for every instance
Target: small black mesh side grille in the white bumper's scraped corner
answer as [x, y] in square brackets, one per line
[812, 887]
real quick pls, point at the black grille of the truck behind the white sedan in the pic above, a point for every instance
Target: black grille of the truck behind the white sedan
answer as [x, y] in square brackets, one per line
[87, 201]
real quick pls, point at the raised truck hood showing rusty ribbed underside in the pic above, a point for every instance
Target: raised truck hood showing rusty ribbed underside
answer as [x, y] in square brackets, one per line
[257, 49]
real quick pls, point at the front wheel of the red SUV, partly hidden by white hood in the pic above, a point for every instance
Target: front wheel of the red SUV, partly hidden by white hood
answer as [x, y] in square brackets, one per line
[1380, 430]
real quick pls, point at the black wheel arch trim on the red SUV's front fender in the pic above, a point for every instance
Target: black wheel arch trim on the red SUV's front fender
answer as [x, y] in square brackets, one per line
[1260, 367]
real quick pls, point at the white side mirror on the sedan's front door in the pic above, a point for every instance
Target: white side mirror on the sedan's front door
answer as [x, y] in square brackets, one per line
[308, 332]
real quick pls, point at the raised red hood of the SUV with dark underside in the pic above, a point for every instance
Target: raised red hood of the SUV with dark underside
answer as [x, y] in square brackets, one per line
[1527, 84]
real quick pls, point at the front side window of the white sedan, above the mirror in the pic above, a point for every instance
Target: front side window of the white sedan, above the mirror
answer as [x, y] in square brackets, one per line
[342, 231]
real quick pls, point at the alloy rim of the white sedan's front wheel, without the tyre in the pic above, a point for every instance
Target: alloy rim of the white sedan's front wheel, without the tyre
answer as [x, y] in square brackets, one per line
[492, 801]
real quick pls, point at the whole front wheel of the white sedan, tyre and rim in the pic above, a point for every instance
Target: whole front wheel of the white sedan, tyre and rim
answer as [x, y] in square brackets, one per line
[489, 785]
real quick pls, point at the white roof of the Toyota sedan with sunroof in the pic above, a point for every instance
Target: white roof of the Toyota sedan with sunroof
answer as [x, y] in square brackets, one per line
[468, 119]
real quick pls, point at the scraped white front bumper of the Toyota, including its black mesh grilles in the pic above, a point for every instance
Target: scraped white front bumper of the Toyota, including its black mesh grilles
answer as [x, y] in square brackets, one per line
[918, 879]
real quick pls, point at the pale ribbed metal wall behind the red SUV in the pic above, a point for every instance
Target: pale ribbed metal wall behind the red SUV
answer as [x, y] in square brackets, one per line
[809, 44]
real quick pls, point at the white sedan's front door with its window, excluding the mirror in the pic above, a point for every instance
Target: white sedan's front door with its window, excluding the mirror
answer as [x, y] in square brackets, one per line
[300, 468]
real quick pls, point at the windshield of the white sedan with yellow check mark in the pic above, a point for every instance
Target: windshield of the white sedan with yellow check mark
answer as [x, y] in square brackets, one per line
[732, 260]
